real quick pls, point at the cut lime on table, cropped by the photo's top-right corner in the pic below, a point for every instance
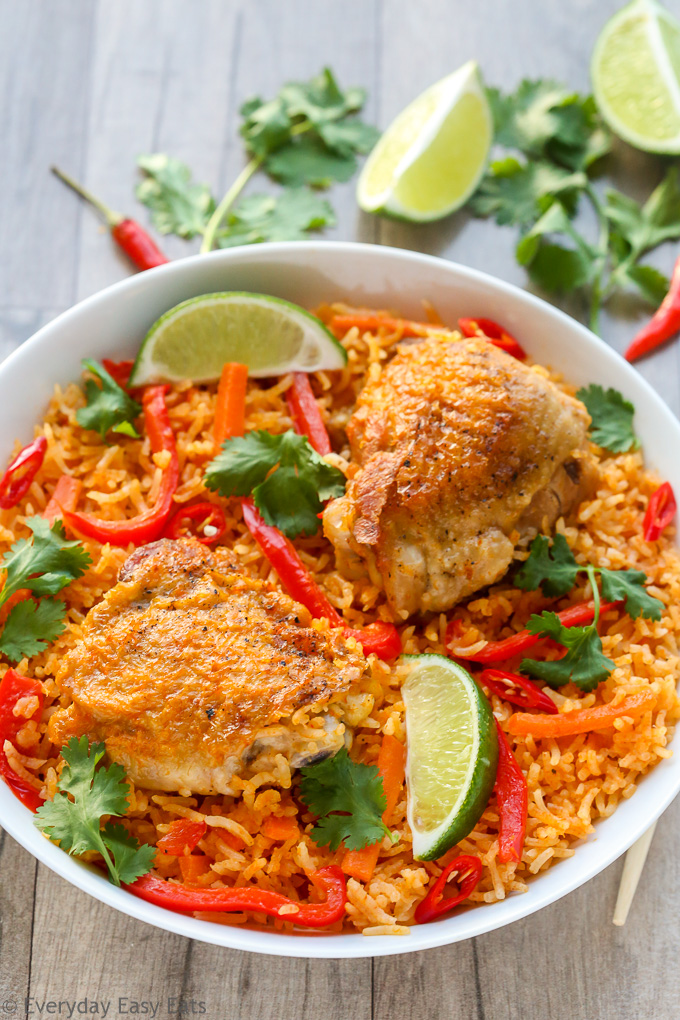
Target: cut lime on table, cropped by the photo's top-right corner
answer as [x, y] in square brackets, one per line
[637, 77]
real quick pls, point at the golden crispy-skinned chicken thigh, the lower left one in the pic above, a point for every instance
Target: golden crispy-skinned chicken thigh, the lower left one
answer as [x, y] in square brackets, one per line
[189, 669]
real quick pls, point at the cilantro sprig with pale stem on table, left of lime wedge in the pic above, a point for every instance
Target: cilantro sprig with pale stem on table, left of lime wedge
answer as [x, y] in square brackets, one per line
[308, 136]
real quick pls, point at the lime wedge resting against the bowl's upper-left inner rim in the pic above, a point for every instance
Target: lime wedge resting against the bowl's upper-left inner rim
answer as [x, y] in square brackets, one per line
[195, 340]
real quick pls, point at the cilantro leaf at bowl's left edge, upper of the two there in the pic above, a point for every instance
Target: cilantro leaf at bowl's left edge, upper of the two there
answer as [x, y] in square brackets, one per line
[45, 564]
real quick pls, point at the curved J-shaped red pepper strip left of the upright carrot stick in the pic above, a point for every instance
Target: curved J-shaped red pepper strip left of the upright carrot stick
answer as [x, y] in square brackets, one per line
[149, 526]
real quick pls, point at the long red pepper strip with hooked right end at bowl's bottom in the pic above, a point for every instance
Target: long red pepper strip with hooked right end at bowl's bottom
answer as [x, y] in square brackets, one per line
[251, 898]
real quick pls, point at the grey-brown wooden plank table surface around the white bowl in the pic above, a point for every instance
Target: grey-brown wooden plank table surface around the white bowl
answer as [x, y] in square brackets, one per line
[90, 86]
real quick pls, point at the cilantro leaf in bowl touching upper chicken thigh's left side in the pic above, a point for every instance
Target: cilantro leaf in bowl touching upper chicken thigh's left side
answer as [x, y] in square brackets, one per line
[288, 479]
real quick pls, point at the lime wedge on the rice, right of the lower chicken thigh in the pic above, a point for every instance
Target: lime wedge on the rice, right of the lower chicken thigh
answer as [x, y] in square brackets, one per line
[453, 753]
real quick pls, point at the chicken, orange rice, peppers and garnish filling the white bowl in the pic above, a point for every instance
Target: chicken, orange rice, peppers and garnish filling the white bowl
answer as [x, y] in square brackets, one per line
[271, 834]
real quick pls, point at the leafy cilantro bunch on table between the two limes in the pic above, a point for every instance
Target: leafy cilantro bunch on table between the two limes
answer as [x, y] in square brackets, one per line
[553, 140]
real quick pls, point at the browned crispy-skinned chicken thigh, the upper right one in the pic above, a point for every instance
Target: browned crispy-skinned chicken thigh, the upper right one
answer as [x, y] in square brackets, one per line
[455, 440]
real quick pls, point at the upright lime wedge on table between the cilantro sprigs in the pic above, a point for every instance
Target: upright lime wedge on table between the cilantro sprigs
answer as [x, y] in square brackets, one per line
[432, 158]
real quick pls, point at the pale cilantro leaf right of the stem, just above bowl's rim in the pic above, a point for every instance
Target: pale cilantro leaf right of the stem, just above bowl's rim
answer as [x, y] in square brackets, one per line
[264, 218]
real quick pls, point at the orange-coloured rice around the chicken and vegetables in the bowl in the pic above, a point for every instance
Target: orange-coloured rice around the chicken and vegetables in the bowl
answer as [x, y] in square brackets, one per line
[572, 781]
